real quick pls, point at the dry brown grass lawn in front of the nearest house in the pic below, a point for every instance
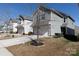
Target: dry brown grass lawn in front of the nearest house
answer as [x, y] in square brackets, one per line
[51, 47]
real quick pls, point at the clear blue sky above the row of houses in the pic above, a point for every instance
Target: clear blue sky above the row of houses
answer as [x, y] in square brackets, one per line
[12, 10]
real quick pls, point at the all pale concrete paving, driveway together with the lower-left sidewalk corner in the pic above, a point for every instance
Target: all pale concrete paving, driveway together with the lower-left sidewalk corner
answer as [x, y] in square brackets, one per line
[10, 42]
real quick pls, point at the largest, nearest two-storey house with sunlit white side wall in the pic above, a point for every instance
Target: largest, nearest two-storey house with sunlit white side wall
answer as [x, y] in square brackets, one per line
[51, 22]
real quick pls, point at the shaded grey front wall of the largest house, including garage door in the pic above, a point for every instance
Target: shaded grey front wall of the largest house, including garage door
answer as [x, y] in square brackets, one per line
[43, 23]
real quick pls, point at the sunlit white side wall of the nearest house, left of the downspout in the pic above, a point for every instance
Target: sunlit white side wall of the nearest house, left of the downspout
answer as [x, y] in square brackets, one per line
[56, 23]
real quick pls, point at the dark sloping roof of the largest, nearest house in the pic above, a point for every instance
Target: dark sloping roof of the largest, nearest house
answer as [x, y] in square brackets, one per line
[60, 14]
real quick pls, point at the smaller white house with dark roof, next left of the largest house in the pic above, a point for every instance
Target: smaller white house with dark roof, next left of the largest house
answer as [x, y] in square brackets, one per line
[25, 24]
